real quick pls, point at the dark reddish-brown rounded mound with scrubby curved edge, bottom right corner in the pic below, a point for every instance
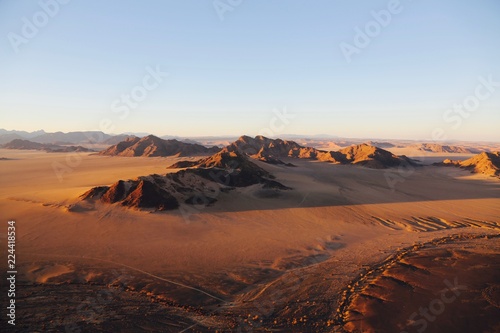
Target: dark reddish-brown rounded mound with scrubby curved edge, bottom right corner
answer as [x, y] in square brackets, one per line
[399, 294]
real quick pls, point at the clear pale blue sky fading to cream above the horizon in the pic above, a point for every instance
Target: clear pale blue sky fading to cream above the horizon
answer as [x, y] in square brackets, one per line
[403, 69]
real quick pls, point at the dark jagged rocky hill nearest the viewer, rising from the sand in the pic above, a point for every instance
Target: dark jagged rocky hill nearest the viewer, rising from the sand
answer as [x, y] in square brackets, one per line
[201, 184]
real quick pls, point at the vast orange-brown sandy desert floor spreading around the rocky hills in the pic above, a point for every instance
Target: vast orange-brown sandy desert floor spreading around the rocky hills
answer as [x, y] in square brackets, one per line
[343, 249]
